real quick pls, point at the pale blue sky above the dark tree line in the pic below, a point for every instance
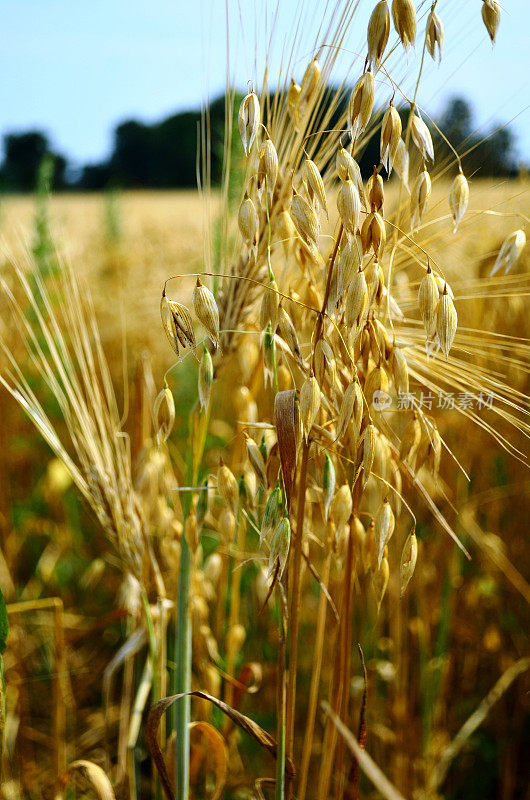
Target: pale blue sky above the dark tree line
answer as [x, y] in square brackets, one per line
[76, 68]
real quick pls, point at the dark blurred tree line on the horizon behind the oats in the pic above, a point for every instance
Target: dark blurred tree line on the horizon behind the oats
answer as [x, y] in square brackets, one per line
[162, 155]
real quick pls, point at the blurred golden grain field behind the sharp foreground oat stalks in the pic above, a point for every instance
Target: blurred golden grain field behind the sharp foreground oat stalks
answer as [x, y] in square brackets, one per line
[431, 660]
